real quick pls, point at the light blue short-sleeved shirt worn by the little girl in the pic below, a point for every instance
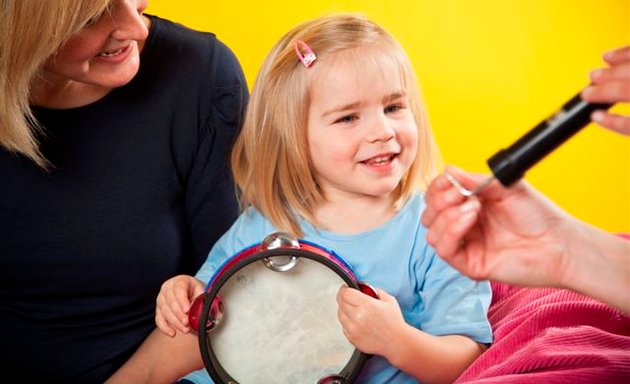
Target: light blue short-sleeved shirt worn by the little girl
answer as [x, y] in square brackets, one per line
[395, 257]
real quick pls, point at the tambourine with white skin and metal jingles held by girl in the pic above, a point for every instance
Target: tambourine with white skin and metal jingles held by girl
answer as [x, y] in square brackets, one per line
[269, 315]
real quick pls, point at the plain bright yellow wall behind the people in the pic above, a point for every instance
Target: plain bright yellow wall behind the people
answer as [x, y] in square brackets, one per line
[490, 70]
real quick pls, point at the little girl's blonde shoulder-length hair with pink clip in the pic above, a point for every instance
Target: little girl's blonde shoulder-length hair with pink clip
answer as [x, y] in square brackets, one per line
[270, 159]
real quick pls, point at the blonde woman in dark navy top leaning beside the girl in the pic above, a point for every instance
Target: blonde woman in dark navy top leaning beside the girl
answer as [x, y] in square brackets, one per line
[114, 138]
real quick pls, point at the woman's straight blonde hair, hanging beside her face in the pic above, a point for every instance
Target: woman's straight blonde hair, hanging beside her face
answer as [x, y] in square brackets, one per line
[32, 31]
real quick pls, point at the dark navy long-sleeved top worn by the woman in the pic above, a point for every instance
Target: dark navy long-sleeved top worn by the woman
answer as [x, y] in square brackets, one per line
[139, 192]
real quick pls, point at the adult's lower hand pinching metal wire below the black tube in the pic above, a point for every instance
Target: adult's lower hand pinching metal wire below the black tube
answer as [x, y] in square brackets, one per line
[514, 235]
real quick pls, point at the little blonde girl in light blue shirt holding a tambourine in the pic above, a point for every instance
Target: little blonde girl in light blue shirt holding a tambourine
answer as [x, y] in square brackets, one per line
[334, 149]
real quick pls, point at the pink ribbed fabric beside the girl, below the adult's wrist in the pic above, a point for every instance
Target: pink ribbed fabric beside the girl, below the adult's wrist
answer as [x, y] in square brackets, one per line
[545, 335]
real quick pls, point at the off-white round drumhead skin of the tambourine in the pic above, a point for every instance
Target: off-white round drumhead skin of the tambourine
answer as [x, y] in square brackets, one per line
[277, 321]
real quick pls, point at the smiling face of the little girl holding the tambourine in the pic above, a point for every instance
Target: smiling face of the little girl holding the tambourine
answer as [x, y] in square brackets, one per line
[362, 135]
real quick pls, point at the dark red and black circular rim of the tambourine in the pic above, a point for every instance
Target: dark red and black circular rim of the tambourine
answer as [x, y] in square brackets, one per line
[248, 256]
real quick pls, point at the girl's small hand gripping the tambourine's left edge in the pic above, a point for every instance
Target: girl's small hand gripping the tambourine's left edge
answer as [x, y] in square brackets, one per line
[173, 302]
